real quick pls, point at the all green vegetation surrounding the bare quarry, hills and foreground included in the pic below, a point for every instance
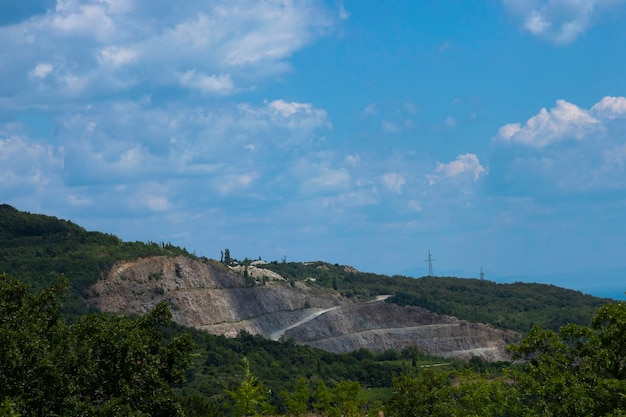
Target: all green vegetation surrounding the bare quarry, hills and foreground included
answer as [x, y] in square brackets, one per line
[105, 365]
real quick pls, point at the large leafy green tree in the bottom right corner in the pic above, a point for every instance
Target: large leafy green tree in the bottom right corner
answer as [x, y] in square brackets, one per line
[579, 371]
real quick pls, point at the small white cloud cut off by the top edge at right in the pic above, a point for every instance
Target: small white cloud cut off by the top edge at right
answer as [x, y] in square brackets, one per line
[559, 21]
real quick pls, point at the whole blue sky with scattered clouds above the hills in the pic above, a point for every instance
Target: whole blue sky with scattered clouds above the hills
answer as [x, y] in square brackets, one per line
[491, 133]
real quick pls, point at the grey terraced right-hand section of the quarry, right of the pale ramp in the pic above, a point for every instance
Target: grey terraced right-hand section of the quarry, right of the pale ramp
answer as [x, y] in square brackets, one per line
[382, 326]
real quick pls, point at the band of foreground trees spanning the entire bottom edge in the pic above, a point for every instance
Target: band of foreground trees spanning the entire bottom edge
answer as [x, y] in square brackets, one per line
[105, 365]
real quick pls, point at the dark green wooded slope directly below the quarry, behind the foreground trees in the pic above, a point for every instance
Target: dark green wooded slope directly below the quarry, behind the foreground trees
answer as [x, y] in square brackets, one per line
[218, 359]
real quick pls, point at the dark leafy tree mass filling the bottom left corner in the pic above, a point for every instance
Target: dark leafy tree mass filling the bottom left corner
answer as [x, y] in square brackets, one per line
[100, 365]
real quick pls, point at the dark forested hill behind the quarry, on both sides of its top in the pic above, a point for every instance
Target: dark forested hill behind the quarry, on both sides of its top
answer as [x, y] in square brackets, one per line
[39, 248]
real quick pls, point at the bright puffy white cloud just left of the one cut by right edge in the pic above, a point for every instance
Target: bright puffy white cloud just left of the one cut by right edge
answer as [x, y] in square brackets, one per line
[564, 122]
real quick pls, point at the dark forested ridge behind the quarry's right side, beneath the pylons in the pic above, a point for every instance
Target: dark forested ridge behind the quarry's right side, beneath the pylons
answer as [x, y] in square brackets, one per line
[518, 306]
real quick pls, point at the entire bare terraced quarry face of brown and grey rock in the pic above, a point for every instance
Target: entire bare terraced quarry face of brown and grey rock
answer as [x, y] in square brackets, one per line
[212, 297]
